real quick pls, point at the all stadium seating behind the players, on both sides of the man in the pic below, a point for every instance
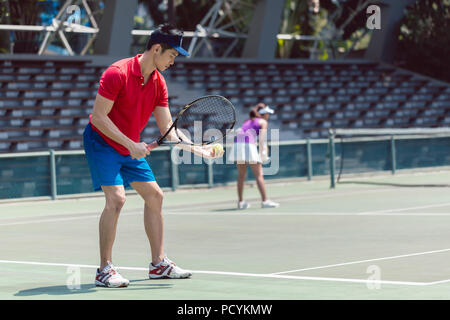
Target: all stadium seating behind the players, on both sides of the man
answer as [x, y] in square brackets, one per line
[45, 104]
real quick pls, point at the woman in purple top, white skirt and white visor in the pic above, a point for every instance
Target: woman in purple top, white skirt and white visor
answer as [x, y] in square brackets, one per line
[249, 136]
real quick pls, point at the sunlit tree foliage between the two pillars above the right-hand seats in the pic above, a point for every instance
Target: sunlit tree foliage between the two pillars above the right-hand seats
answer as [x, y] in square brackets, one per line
[340, 24]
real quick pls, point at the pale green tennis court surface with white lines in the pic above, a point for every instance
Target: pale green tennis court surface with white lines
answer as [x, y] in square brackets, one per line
[366, 240]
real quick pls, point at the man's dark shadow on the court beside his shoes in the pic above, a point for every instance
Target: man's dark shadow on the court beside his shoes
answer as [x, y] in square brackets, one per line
[87, 288]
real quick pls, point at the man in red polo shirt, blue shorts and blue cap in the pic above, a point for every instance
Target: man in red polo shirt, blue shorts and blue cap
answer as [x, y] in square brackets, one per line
[130, 91]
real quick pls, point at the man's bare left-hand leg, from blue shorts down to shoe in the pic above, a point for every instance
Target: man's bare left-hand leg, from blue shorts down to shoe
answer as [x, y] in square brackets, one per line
[115, 199]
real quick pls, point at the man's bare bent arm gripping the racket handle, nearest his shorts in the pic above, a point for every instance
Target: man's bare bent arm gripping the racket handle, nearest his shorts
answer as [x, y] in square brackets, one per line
[102, 122]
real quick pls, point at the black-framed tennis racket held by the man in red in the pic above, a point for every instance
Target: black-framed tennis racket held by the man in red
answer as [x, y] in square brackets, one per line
[201, 122]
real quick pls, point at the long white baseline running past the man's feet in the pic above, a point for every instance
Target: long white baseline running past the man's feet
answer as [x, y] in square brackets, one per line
[236, 274]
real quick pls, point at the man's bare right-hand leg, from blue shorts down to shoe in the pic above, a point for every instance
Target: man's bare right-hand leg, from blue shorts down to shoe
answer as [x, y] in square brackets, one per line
[153, 217]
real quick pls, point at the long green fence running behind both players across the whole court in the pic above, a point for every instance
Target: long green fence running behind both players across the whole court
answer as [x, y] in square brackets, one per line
[56, 173]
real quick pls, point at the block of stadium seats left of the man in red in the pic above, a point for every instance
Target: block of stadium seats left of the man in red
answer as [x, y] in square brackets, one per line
[44, 104]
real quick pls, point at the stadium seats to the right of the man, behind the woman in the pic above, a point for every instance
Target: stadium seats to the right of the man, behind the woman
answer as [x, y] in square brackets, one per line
[312, 97]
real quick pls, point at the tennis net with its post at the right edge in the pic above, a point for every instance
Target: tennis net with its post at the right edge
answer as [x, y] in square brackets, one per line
[356, 153]
